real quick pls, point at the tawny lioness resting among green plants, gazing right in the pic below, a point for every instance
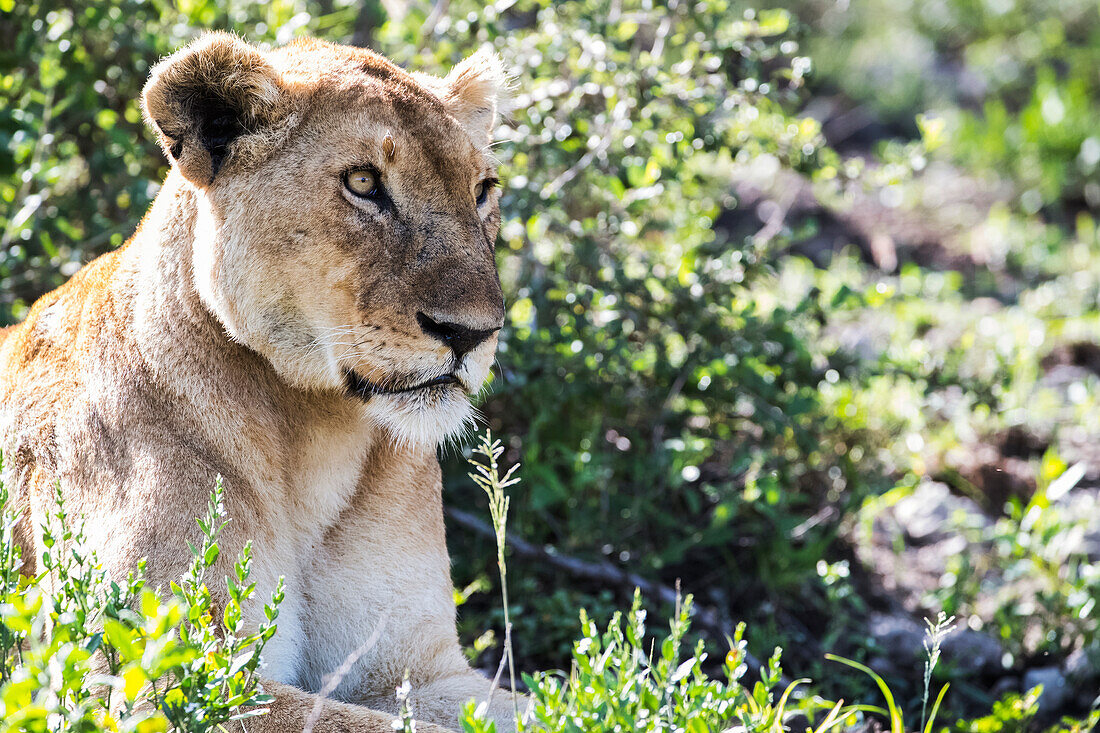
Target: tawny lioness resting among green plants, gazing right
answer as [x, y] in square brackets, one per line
[304, 312]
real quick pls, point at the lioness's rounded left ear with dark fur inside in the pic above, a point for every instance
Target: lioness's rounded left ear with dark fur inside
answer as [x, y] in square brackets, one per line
[215, 101]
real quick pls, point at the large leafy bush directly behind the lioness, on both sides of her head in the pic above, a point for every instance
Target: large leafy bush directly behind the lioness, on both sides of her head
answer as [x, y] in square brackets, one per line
[624, 292]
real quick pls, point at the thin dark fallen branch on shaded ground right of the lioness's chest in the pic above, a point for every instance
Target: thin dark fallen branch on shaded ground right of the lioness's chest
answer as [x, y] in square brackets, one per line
[703, 617]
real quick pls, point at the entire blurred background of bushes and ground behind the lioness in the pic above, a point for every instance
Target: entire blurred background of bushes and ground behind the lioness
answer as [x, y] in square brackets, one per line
[805, 307]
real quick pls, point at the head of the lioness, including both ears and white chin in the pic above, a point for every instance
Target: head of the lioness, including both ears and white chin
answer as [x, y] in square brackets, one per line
[347, 214]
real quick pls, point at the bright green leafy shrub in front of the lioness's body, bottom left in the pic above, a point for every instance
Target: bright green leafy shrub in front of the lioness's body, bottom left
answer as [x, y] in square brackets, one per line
[84, 652]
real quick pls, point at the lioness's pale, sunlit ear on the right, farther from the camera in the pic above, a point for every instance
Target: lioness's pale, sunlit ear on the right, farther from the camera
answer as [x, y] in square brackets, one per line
[477, 92]
